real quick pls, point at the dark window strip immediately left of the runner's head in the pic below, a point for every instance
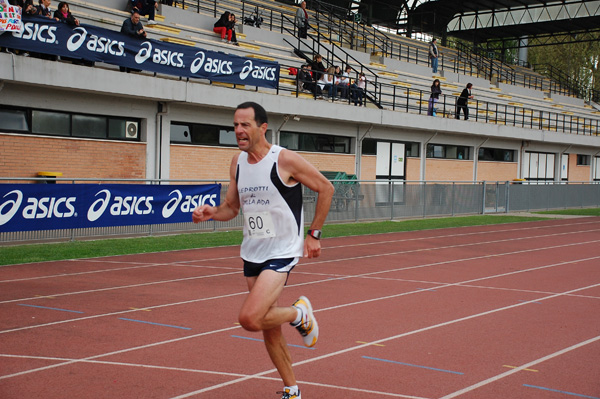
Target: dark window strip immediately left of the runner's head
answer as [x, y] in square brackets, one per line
[202, 134]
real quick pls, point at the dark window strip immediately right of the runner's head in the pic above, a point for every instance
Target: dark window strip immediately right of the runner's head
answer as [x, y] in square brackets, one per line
[315, 142]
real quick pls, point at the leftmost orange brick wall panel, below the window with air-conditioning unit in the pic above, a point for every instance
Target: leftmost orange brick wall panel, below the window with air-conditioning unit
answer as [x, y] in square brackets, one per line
[24, 156]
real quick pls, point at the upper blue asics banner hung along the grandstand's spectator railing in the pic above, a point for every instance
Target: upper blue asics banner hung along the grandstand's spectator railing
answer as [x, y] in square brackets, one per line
[91, 43]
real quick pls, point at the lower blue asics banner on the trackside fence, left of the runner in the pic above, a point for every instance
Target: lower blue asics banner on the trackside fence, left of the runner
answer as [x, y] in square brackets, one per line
[27, 207]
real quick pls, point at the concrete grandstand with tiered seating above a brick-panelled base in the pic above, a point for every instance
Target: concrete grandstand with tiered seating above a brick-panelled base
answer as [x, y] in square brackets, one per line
[80, 118]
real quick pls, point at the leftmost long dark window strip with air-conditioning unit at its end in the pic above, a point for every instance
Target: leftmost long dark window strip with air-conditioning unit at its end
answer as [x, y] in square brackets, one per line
[67, 124]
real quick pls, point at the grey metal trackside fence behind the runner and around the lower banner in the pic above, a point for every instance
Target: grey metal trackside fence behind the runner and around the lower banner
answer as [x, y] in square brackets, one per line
[360, 200]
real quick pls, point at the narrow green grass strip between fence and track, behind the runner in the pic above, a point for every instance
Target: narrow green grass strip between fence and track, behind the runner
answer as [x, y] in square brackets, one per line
[124, 246]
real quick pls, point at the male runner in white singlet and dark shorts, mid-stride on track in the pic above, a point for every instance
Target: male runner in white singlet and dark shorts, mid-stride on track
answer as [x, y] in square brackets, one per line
[266, 182]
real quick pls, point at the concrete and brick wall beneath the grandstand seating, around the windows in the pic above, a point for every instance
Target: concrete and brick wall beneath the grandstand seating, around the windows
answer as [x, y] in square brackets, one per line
[157, 101]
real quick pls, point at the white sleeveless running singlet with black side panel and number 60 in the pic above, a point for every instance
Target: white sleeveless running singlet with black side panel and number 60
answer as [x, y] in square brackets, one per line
[272, 210]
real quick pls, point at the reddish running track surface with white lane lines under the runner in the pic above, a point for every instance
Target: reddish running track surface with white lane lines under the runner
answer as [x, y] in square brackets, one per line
[509, 311]
